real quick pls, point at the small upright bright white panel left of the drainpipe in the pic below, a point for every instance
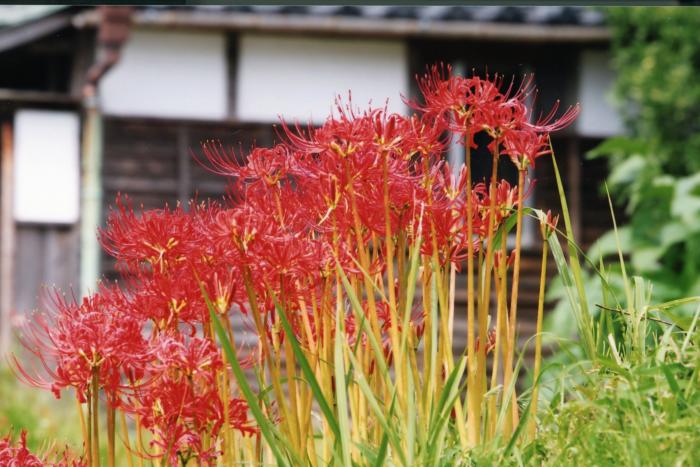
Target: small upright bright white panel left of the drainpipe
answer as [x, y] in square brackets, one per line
[46, 167]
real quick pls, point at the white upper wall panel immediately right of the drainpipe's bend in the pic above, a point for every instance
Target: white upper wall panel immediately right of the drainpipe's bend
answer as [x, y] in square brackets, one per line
[169, 74]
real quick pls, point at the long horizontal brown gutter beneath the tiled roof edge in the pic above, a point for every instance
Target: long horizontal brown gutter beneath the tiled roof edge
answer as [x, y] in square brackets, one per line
[360, 26]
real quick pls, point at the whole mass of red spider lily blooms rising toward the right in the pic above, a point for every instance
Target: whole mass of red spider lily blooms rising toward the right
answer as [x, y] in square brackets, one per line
[363, 187]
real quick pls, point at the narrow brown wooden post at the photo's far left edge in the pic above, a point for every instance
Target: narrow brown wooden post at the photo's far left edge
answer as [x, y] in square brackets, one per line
[7, 239]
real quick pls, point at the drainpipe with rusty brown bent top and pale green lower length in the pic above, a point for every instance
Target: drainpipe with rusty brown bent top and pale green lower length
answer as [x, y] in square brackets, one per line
[113, 30]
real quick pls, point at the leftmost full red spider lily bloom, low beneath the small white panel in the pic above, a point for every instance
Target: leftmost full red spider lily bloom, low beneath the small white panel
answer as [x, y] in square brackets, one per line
[94, 338]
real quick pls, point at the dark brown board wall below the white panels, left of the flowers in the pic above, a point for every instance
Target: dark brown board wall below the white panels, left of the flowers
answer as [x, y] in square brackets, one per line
[152, 161]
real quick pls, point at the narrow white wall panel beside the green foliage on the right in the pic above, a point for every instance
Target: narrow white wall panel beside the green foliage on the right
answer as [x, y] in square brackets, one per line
[598, 118]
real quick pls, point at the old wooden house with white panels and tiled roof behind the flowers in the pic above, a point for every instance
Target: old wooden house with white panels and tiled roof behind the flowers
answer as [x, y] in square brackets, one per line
[97, 101]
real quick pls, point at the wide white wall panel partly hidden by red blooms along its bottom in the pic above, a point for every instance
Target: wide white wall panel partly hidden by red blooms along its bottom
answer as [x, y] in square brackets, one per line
[299, 77]
